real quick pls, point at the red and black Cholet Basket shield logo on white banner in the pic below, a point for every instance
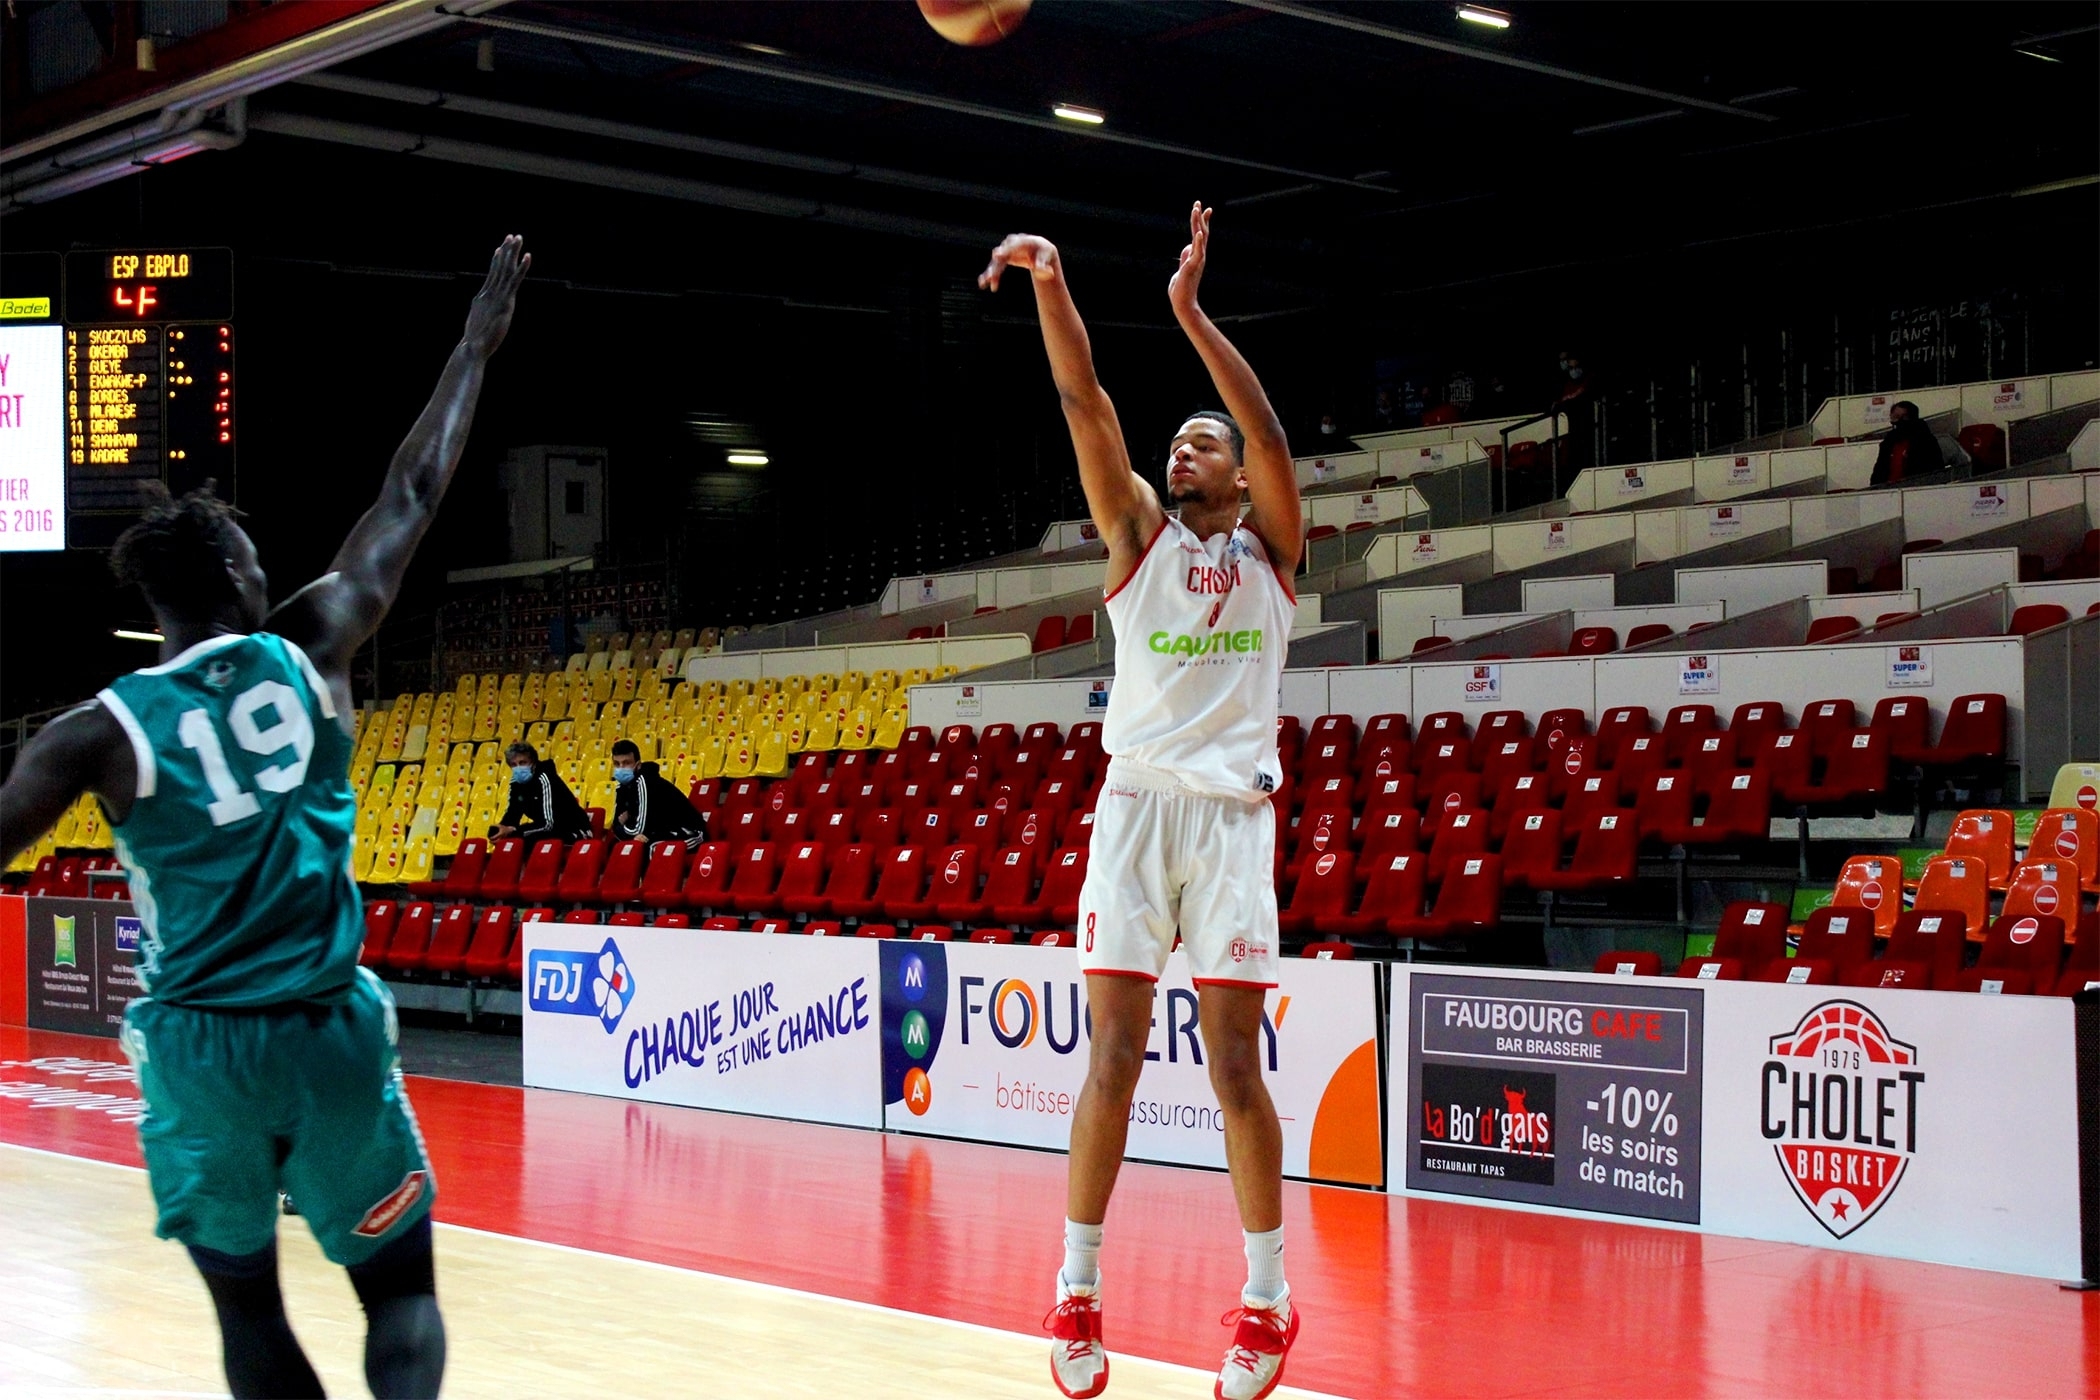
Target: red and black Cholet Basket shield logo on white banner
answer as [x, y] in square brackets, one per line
[1841, 1109]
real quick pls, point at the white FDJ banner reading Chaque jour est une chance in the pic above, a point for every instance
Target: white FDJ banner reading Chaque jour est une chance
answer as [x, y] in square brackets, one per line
[751, 1023]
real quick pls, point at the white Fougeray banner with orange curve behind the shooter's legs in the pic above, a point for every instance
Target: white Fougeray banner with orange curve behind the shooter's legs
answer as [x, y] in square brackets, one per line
[990, 1042]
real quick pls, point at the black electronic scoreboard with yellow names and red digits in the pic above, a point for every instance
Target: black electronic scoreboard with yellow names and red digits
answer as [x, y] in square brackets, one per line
[148, 379]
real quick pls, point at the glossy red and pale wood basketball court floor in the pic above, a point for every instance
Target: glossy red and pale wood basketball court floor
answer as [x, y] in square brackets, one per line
[606, 1248]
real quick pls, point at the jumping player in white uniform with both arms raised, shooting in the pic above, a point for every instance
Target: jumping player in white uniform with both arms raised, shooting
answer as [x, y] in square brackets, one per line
[1185, 839]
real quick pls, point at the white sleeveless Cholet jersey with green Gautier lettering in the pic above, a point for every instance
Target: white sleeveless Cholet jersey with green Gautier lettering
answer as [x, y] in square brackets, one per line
[1200, 637]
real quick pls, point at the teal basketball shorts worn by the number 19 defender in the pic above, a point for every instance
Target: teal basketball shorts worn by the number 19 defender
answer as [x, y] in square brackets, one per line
[306, 1099]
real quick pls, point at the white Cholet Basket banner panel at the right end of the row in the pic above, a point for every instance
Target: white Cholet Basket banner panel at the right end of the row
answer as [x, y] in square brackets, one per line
[1914, 1124]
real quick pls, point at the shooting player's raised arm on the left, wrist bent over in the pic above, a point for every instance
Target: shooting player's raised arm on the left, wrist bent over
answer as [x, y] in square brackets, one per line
[1125, 505]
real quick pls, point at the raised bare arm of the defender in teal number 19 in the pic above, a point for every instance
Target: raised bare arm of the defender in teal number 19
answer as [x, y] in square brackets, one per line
[333, 616]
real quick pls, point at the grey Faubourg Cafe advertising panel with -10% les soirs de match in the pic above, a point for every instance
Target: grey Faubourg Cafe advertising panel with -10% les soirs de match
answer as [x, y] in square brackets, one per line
[1555, 1093]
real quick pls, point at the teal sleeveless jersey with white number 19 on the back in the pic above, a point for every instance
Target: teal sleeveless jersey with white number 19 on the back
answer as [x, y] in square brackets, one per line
[238, 841]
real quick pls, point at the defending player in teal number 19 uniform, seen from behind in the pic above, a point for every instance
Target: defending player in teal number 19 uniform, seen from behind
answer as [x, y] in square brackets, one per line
[266, 1055]
